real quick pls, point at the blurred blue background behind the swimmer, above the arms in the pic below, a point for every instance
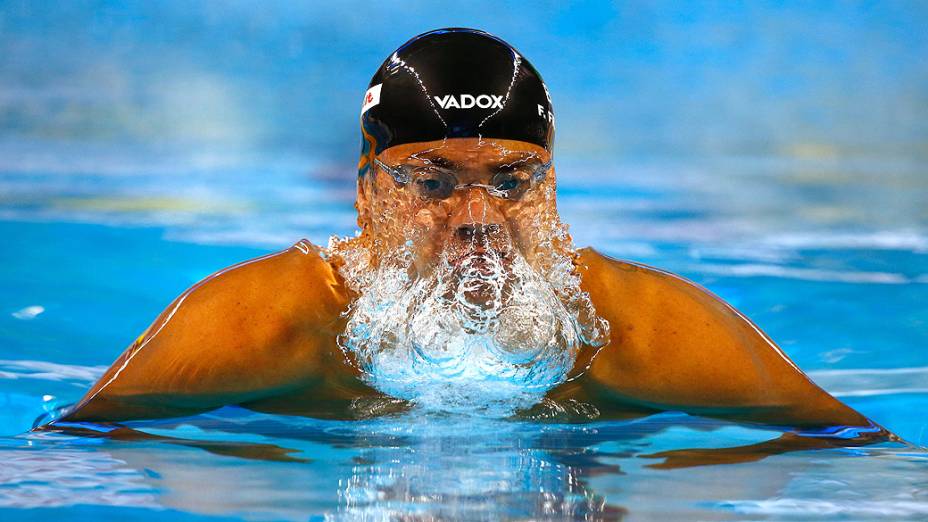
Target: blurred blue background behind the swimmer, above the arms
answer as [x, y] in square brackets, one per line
[772, 151]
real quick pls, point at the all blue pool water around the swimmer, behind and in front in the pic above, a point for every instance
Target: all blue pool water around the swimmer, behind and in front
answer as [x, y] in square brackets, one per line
[774, 152]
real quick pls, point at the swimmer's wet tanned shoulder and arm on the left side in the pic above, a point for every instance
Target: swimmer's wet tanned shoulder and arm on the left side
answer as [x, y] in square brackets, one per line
[259, 329]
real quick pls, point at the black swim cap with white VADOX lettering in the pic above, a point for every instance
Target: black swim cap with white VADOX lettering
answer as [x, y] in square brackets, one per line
[455, 83]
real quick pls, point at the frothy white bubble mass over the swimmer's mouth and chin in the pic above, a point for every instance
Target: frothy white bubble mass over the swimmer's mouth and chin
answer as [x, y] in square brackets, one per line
[483, 330]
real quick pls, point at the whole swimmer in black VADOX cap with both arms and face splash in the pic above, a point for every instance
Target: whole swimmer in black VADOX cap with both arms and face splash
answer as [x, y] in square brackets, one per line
[462, 287]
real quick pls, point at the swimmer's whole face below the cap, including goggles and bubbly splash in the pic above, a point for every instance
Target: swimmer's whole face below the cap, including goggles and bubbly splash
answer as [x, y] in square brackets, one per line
[464, 277]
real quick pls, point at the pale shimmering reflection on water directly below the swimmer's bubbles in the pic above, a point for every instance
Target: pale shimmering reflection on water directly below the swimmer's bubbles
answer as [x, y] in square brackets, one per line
[440, 472]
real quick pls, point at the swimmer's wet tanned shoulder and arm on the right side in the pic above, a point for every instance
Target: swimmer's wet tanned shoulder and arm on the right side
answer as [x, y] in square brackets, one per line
[676, 346]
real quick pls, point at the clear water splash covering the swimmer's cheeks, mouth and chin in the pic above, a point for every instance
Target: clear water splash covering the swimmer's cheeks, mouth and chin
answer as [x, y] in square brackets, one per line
[491, 323]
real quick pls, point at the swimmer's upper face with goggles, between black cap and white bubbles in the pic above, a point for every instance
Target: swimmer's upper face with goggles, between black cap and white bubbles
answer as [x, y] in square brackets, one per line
[457, 196]
